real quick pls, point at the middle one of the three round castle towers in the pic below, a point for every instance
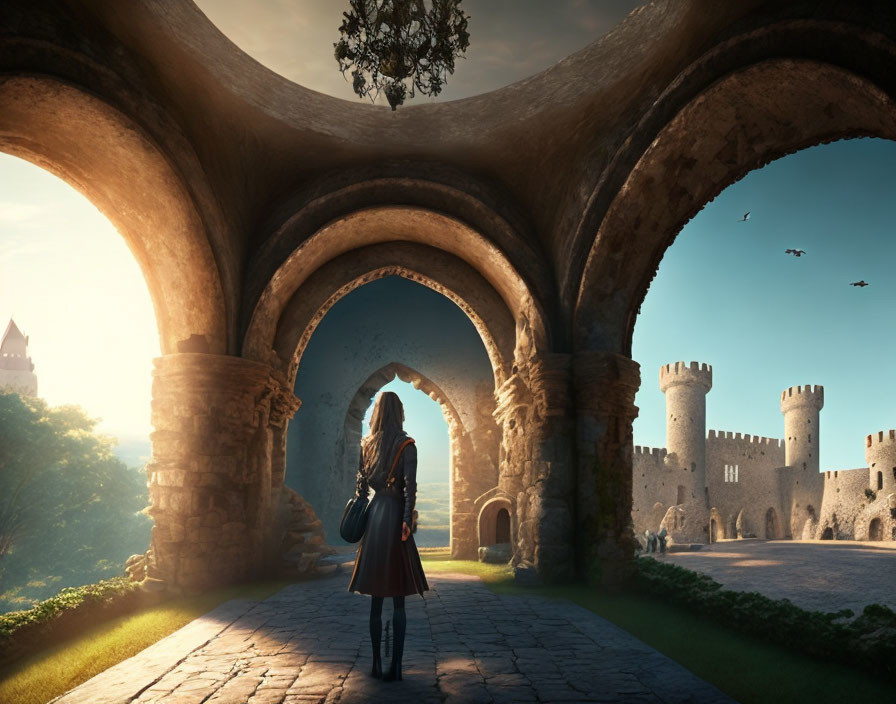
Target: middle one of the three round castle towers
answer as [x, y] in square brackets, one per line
[801, 406]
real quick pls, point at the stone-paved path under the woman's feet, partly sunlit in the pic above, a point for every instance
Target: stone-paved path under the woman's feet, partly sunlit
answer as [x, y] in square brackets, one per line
[310, 643]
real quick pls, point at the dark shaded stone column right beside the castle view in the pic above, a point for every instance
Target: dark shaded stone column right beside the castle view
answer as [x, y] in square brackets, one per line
[605, 386]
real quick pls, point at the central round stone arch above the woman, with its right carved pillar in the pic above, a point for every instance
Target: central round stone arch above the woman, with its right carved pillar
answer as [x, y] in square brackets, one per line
[531, 397]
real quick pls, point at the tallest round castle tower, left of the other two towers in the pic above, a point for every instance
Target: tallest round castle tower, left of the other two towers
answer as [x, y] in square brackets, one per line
[686, 388]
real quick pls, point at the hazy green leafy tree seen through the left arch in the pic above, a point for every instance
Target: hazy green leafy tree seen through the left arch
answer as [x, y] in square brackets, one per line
[69, 510]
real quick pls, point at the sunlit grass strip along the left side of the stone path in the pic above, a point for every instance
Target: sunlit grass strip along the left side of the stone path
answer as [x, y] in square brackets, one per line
[48, 674]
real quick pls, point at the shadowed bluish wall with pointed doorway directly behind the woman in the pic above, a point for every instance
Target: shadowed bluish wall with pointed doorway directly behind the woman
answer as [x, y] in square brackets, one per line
[410, 328]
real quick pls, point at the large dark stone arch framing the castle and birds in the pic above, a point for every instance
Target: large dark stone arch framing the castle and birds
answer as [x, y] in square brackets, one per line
[711, 126]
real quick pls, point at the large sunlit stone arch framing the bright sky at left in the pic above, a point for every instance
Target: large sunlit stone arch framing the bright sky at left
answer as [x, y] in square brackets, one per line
[108, 157]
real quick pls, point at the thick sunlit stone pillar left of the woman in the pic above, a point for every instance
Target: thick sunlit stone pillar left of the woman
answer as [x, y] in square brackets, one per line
[216, 468]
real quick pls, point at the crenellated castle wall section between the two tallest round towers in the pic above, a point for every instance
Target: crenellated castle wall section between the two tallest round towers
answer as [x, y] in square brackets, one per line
[758, 486]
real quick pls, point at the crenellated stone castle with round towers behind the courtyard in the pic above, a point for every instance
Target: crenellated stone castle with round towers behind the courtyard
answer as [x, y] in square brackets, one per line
[703, 488]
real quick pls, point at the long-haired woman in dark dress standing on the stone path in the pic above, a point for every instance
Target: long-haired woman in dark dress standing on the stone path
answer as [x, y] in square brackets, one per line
[388, 563]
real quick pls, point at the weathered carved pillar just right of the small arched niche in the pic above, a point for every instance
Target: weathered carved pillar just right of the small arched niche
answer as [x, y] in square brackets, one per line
[536, 465]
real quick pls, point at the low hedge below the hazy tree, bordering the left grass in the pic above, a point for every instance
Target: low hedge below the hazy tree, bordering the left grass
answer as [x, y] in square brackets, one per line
[63, 615]
